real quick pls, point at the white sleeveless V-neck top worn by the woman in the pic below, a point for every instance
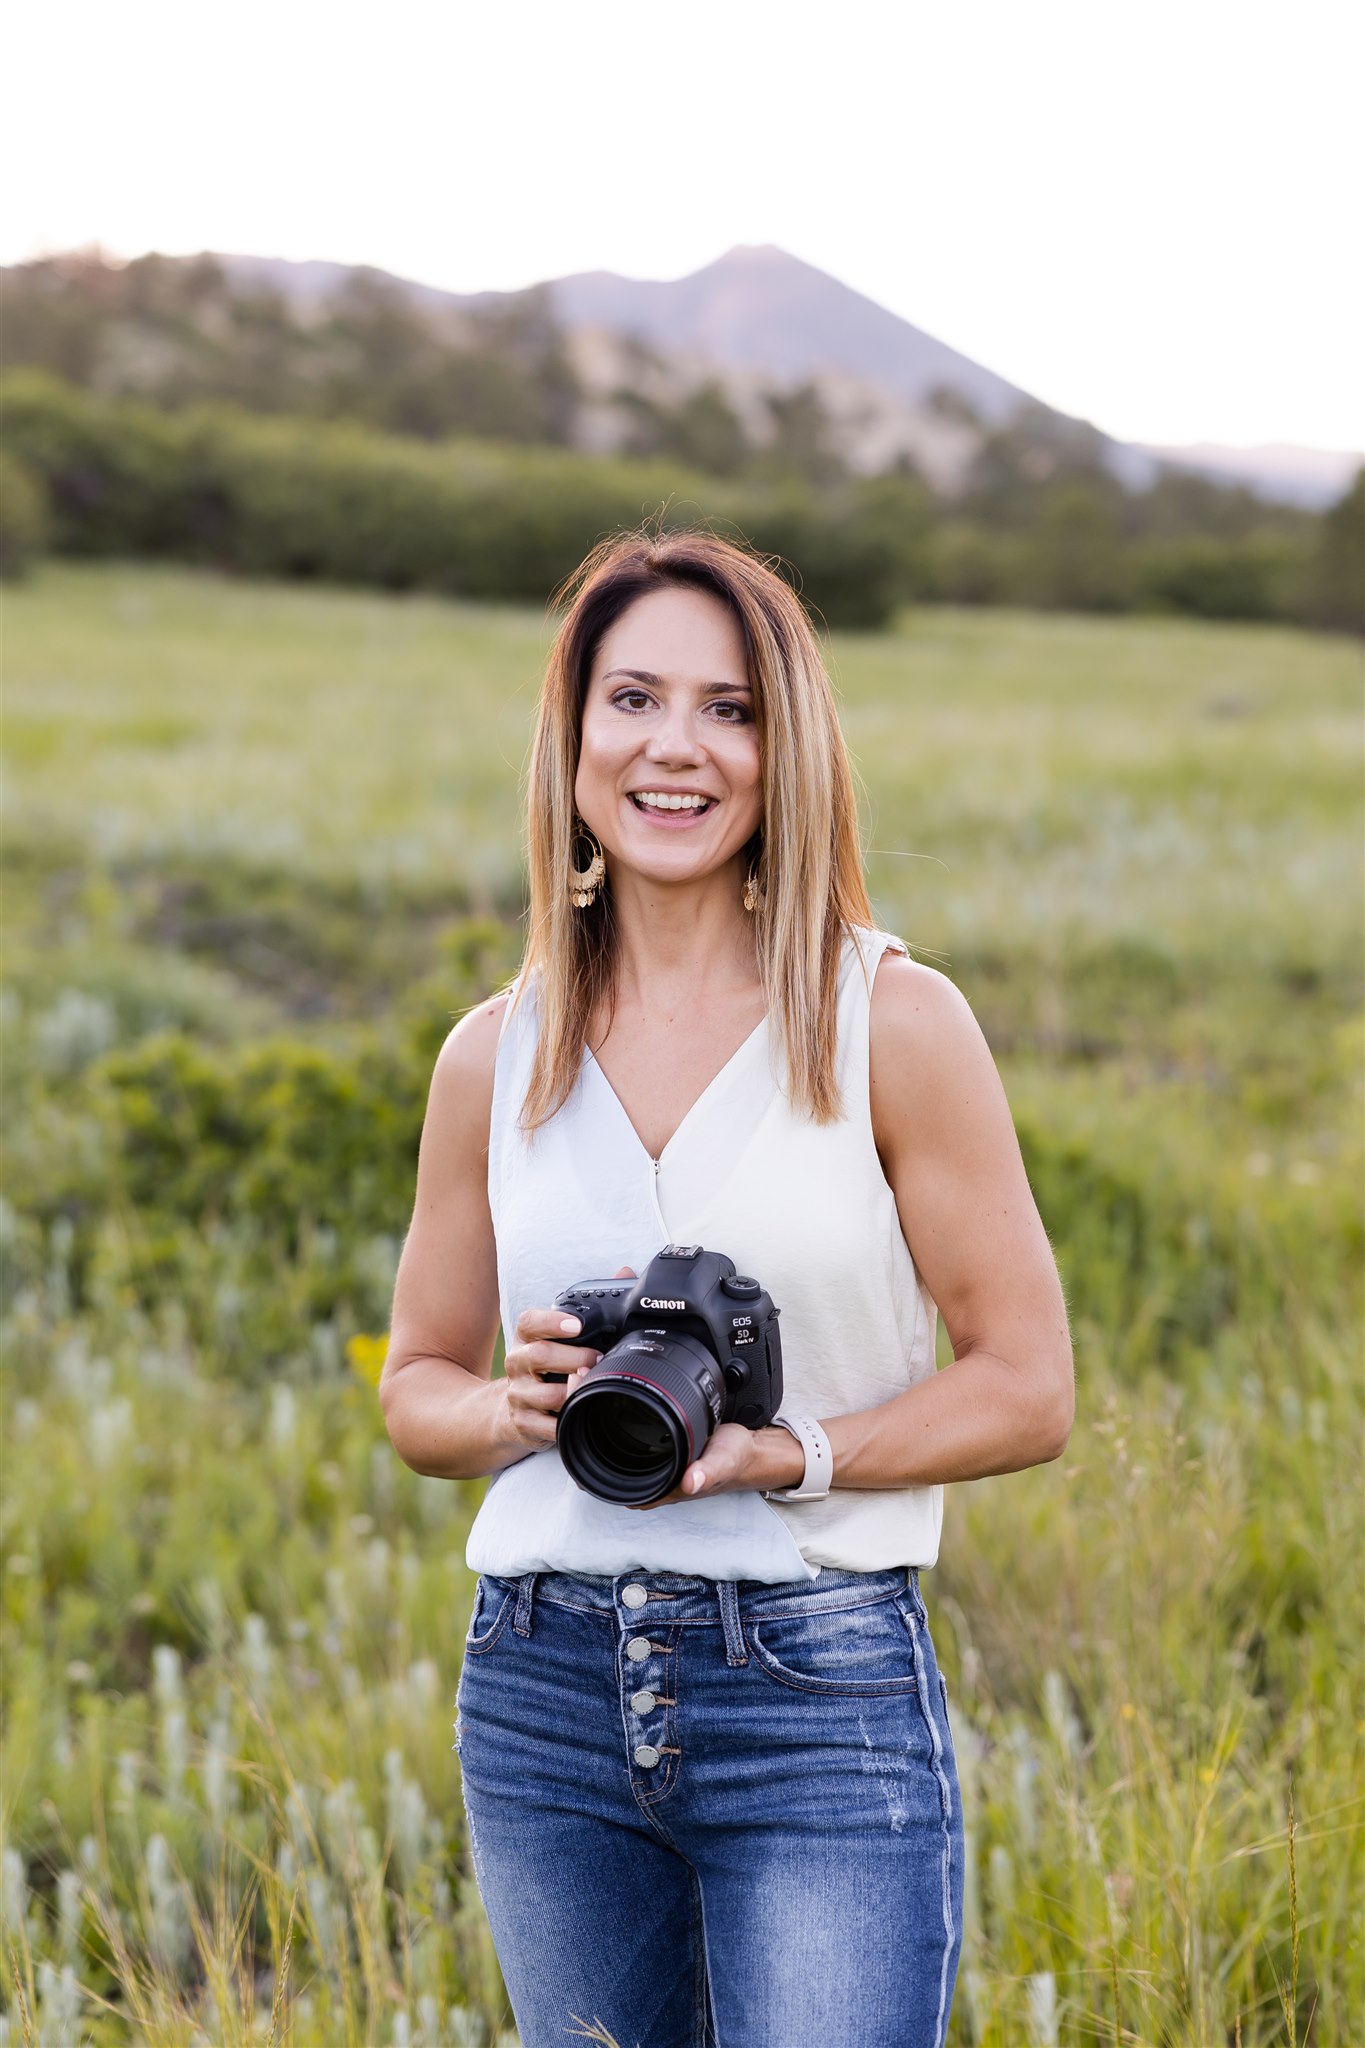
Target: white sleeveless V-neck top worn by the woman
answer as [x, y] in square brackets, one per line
[805, 1207]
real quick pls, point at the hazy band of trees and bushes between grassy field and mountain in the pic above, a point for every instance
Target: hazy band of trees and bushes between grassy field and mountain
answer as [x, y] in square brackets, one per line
[173, 409]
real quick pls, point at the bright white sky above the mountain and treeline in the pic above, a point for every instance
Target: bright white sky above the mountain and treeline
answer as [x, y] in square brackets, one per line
[1145, 214]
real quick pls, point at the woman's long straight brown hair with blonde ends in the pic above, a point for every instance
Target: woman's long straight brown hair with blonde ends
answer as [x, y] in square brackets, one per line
[809, 859]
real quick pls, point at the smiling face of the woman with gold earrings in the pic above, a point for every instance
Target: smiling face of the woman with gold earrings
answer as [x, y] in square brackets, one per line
[670, 716]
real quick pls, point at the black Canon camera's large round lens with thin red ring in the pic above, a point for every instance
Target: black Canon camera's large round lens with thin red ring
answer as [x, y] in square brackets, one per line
[640, 1418]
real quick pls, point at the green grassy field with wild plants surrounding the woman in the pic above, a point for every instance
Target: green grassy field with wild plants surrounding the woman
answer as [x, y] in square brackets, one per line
[261, 845]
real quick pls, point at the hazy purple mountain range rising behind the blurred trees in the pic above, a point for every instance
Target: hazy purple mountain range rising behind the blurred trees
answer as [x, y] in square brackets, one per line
[760, 318]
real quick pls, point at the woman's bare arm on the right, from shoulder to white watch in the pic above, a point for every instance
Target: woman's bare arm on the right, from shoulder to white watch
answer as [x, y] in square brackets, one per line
[951, 1154]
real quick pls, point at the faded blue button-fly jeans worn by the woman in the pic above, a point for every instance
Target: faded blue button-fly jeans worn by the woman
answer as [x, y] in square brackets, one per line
[715, 1816]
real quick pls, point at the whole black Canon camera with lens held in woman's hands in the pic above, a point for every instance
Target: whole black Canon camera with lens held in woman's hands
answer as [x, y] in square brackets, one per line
[685, 1349]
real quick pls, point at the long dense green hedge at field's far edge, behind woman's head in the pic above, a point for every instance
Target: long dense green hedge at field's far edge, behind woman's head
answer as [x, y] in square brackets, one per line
[470, 519]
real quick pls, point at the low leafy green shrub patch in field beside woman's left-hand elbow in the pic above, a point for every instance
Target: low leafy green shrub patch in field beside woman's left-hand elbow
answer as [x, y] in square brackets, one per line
[265, 1187]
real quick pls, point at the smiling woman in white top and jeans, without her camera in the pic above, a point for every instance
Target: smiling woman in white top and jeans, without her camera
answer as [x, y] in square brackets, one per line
[705, 1744]
